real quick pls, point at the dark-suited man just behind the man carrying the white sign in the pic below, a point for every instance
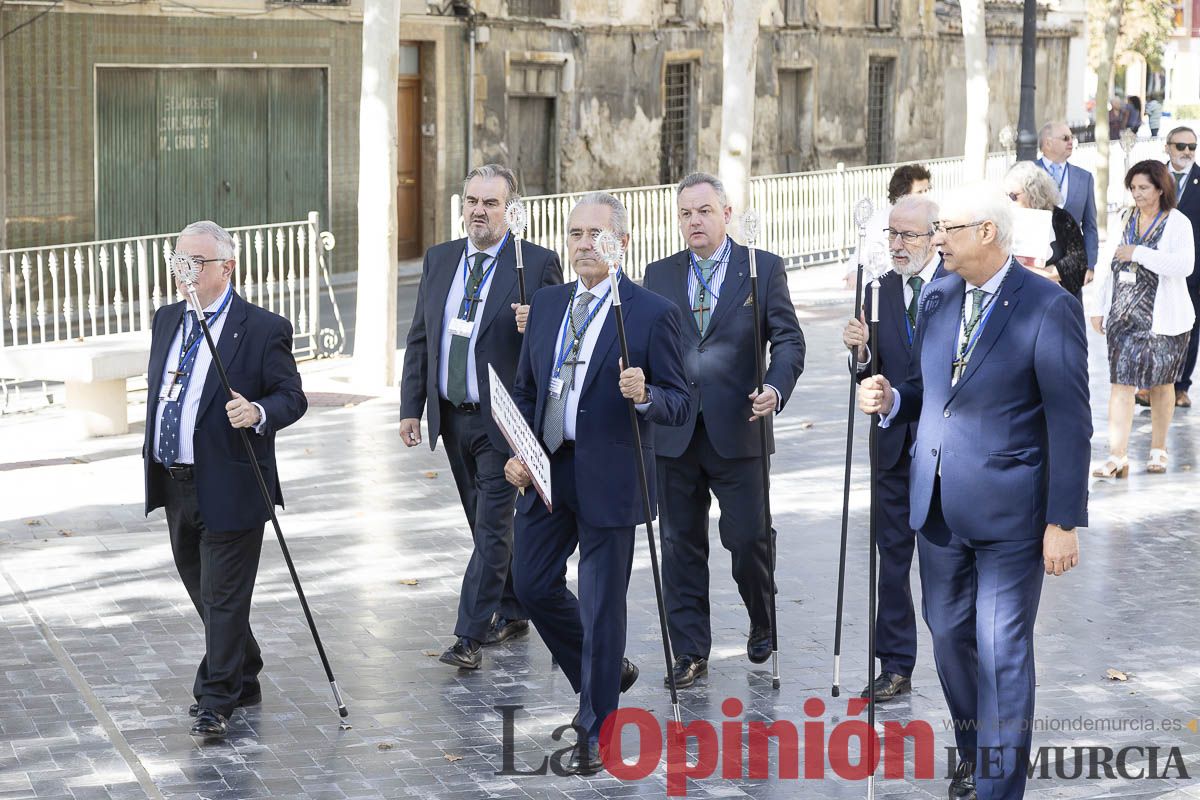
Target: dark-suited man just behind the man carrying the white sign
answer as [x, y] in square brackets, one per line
[469, 317]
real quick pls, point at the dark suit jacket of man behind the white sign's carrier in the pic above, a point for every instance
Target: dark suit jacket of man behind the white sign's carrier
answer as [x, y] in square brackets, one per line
[499, 342]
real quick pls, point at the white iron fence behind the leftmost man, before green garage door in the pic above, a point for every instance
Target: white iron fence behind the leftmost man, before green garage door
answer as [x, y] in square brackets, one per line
[80, 291]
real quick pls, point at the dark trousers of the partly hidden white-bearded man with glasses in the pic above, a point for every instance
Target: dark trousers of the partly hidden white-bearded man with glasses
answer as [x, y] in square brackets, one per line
[896, 622]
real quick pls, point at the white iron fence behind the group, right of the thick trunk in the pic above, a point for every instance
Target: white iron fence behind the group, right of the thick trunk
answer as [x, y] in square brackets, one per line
[807, 218]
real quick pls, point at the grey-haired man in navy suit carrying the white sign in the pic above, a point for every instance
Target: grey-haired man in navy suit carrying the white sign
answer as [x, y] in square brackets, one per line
[575, 396]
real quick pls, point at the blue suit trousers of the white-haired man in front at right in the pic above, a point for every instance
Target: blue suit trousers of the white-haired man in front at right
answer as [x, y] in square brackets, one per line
[981, 601]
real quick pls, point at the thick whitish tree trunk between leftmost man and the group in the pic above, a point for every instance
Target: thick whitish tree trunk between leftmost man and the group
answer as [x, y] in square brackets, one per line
[375, 327]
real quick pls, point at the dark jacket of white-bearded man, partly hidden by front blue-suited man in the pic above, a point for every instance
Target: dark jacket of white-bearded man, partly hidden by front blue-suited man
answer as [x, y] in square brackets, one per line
[892, 353]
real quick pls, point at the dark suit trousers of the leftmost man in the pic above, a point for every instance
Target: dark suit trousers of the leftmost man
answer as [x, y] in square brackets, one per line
[219, 570]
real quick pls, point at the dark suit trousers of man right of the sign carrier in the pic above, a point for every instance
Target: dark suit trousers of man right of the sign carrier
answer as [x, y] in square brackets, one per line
[685, 485]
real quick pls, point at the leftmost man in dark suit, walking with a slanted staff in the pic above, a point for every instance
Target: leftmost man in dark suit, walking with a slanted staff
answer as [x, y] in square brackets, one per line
[196, 466]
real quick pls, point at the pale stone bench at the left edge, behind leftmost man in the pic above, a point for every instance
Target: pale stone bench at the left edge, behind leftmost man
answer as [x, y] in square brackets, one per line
[94, 370]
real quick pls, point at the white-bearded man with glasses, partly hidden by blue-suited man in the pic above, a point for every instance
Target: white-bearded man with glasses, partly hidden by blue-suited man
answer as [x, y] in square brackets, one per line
[915, 264]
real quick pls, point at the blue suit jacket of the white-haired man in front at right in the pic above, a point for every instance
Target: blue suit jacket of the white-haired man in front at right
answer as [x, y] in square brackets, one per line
[1013, 437]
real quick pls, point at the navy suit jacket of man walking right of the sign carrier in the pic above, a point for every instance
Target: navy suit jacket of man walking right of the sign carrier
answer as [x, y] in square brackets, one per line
[721, 365]
